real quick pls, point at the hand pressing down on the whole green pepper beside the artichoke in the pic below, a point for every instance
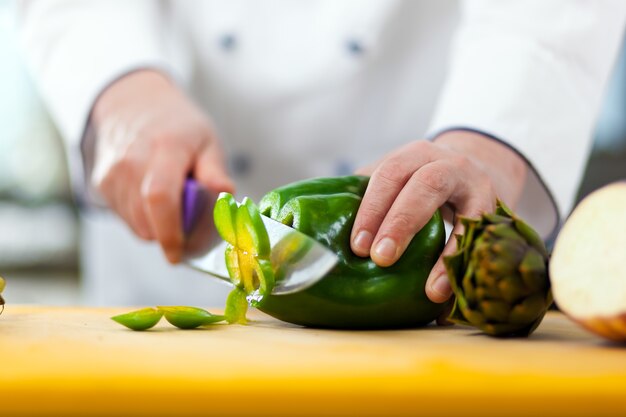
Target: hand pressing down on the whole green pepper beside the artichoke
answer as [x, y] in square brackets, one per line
[461, 172]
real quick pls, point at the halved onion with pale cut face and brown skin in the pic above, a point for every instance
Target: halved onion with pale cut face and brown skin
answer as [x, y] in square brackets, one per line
[588, 264]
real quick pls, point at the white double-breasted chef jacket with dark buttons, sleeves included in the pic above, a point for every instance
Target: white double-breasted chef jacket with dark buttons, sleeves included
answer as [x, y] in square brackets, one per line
[299, 89]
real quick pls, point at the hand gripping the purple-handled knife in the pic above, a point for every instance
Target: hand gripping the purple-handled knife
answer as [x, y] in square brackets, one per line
[149, 137]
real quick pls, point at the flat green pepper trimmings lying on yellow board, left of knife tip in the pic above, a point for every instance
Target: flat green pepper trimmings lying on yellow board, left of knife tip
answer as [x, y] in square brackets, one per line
[180, 316]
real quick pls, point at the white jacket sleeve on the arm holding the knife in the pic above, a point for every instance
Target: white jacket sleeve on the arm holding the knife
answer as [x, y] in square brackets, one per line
[76, 48]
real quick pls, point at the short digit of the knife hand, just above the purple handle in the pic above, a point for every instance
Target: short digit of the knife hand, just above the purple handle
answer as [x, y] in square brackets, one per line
[210, 169]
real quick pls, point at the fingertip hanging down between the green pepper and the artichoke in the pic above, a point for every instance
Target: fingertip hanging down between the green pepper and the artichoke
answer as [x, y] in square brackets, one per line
[438, 287]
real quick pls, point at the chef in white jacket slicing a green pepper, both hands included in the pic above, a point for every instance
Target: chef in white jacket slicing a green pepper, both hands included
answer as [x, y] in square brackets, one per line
[444, 103]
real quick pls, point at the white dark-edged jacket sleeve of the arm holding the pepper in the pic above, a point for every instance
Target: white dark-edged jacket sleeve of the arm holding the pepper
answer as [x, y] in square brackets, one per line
[532, 74]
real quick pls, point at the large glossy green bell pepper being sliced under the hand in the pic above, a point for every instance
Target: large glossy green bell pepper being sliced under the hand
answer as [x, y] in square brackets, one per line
[356, 293]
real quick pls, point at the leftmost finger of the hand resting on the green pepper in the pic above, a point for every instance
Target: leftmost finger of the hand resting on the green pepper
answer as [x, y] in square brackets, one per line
[385, 184]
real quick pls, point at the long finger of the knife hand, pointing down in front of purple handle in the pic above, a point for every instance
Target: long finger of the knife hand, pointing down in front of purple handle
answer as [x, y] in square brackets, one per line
[161, 193]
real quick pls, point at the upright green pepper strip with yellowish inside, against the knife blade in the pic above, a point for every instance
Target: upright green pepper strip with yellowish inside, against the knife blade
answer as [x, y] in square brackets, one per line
[247, 254]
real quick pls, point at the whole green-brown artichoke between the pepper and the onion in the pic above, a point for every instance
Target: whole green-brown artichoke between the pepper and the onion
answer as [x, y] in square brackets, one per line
[499, 275]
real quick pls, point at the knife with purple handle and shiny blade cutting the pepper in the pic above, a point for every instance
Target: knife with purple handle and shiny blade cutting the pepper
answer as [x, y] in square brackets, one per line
[204, 249]
